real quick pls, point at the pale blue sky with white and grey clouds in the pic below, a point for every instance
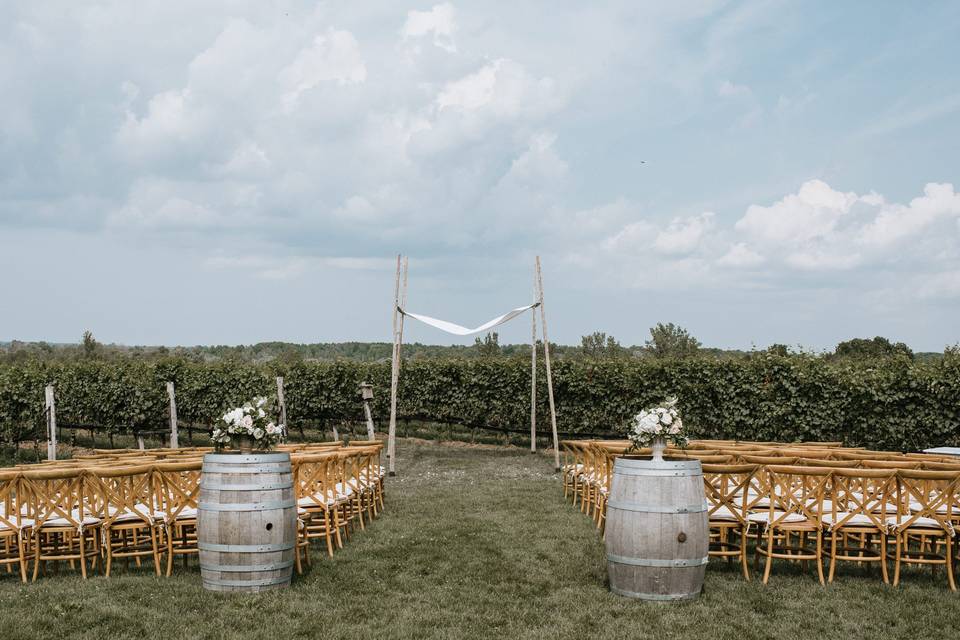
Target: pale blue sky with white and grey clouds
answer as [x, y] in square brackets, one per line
[230, 172]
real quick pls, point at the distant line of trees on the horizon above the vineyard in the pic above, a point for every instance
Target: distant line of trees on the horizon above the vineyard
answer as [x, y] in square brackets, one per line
[666, 341]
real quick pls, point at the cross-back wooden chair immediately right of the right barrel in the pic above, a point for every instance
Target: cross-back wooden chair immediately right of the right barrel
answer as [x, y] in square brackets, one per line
[727, 488]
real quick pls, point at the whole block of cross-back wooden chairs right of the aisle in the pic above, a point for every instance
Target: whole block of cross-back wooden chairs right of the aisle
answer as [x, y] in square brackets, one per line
[805, 503]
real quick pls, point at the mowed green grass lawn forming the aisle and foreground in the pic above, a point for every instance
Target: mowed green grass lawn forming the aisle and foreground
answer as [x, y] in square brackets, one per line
[475, 543]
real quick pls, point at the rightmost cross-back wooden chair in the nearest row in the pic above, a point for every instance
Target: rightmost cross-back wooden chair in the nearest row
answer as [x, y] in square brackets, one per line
[927, 503]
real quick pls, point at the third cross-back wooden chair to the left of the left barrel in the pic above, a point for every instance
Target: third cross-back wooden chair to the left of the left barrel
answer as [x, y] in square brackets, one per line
[63, 529]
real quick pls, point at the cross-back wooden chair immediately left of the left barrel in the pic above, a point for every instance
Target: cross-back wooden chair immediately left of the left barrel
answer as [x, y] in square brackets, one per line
[178, 487]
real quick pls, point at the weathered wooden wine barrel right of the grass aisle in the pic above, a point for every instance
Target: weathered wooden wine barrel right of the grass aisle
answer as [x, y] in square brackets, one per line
[657, 533]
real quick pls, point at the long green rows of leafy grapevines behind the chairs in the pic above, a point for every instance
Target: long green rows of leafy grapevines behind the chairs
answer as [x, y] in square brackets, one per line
[885, 404]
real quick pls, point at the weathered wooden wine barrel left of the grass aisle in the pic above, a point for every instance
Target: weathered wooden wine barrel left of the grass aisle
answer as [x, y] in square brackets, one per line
[246, 521]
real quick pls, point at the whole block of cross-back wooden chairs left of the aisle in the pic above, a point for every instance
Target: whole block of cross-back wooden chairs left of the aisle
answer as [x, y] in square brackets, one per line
[140, 506]
